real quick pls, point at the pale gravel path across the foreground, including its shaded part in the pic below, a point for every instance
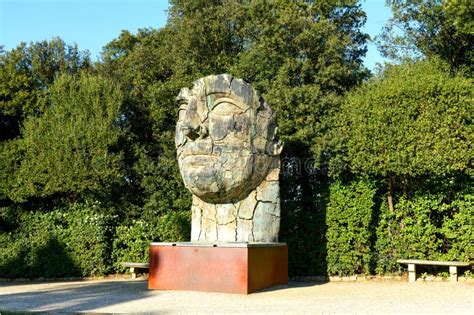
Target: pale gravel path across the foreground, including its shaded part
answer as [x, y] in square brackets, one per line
[124, 296]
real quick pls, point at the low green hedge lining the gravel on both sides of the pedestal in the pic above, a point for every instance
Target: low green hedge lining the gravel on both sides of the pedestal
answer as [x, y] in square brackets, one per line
[360, 236]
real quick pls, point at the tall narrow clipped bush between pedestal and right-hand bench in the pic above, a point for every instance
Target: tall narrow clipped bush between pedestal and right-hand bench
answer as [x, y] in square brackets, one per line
[349, 217]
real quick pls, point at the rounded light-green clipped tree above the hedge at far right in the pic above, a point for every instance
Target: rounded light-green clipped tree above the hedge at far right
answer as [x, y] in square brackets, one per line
[413, 120]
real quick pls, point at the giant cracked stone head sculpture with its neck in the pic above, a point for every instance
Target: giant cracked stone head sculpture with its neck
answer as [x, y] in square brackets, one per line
[228, 157]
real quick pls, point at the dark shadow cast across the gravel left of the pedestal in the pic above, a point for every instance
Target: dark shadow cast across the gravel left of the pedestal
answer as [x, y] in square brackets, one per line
[75, 297]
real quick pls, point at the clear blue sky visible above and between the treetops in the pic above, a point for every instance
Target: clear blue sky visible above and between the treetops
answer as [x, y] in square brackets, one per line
[93, 23]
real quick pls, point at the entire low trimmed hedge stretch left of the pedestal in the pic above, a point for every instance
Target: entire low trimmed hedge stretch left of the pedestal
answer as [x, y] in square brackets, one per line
[81, 241]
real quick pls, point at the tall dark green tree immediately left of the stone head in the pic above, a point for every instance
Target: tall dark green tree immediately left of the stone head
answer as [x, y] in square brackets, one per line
[144, 64]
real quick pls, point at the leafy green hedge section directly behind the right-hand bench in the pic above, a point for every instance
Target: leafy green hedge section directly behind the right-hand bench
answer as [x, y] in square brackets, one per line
[425, 227]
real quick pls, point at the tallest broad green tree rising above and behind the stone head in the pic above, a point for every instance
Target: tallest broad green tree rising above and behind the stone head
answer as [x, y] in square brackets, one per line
[300, 55]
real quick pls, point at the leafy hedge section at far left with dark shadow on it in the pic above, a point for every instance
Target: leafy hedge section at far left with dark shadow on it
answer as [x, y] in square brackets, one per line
[64, 242]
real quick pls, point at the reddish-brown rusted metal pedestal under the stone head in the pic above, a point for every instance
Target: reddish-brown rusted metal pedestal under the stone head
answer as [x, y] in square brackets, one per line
[222, 267]
